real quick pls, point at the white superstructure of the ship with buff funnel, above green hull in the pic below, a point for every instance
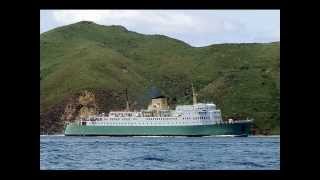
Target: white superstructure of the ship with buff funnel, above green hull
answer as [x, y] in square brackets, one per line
[159, 114]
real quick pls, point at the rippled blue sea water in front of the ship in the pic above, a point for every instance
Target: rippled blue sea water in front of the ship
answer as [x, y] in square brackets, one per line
[159, 153]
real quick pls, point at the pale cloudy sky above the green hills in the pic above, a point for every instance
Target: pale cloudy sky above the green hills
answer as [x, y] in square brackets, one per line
[195, 27]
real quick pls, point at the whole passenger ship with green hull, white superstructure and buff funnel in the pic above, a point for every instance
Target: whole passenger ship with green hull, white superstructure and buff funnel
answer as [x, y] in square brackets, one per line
[197, 119]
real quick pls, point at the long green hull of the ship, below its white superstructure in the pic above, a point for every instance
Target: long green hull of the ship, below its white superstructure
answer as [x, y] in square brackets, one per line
[74, 129]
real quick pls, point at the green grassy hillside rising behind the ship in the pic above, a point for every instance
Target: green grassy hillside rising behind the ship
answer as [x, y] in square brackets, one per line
[242, 79]
